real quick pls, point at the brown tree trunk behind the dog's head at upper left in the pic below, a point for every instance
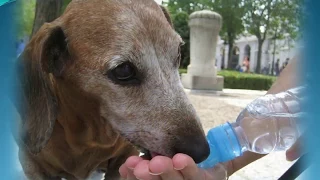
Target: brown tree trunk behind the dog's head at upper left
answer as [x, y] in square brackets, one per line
[46, 11]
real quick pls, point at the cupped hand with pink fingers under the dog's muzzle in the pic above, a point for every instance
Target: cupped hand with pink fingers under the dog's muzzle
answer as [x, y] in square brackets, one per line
[180, 167]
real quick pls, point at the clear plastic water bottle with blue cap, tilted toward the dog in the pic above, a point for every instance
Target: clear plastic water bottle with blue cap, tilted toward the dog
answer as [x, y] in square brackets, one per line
[267, 124]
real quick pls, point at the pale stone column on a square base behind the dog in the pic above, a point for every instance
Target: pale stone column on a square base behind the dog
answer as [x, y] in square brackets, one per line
[202, 72]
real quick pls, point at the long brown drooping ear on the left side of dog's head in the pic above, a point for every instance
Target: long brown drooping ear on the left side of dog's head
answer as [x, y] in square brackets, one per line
[45, 55]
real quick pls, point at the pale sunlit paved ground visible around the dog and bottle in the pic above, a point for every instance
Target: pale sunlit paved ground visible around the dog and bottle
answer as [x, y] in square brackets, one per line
[215, 109]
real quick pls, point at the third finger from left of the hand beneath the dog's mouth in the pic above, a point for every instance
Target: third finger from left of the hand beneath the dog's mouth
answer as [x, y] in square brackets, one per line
[162, 166]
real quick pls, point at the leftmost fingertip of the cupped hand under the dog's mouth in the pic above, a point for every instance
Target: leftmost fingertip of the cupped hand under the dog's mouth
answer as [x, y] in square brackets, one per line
[129, 166]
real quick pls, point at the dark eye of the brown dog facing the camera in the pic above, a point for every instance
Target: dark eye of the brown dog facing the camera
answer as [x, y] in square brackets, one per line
[124, 73]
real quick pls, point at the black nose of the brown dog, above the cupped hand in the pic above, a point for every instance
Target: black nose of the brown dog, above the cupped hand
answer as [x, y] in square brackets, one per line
[195, 147]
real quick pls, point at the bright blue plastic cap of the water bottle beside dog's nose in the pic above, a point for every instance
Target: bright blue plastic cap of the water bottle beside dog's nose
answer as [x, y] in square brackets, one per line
[224, 146]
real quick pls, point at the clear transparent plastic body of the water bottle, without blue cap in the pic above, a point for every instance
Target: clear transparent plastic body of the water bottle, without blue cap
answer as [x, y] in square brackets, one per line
[270, 123]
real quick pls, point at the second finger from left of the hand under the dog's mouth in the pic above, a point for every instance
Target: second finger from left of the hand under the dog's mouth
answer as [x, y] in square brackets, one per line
[141, 171]
